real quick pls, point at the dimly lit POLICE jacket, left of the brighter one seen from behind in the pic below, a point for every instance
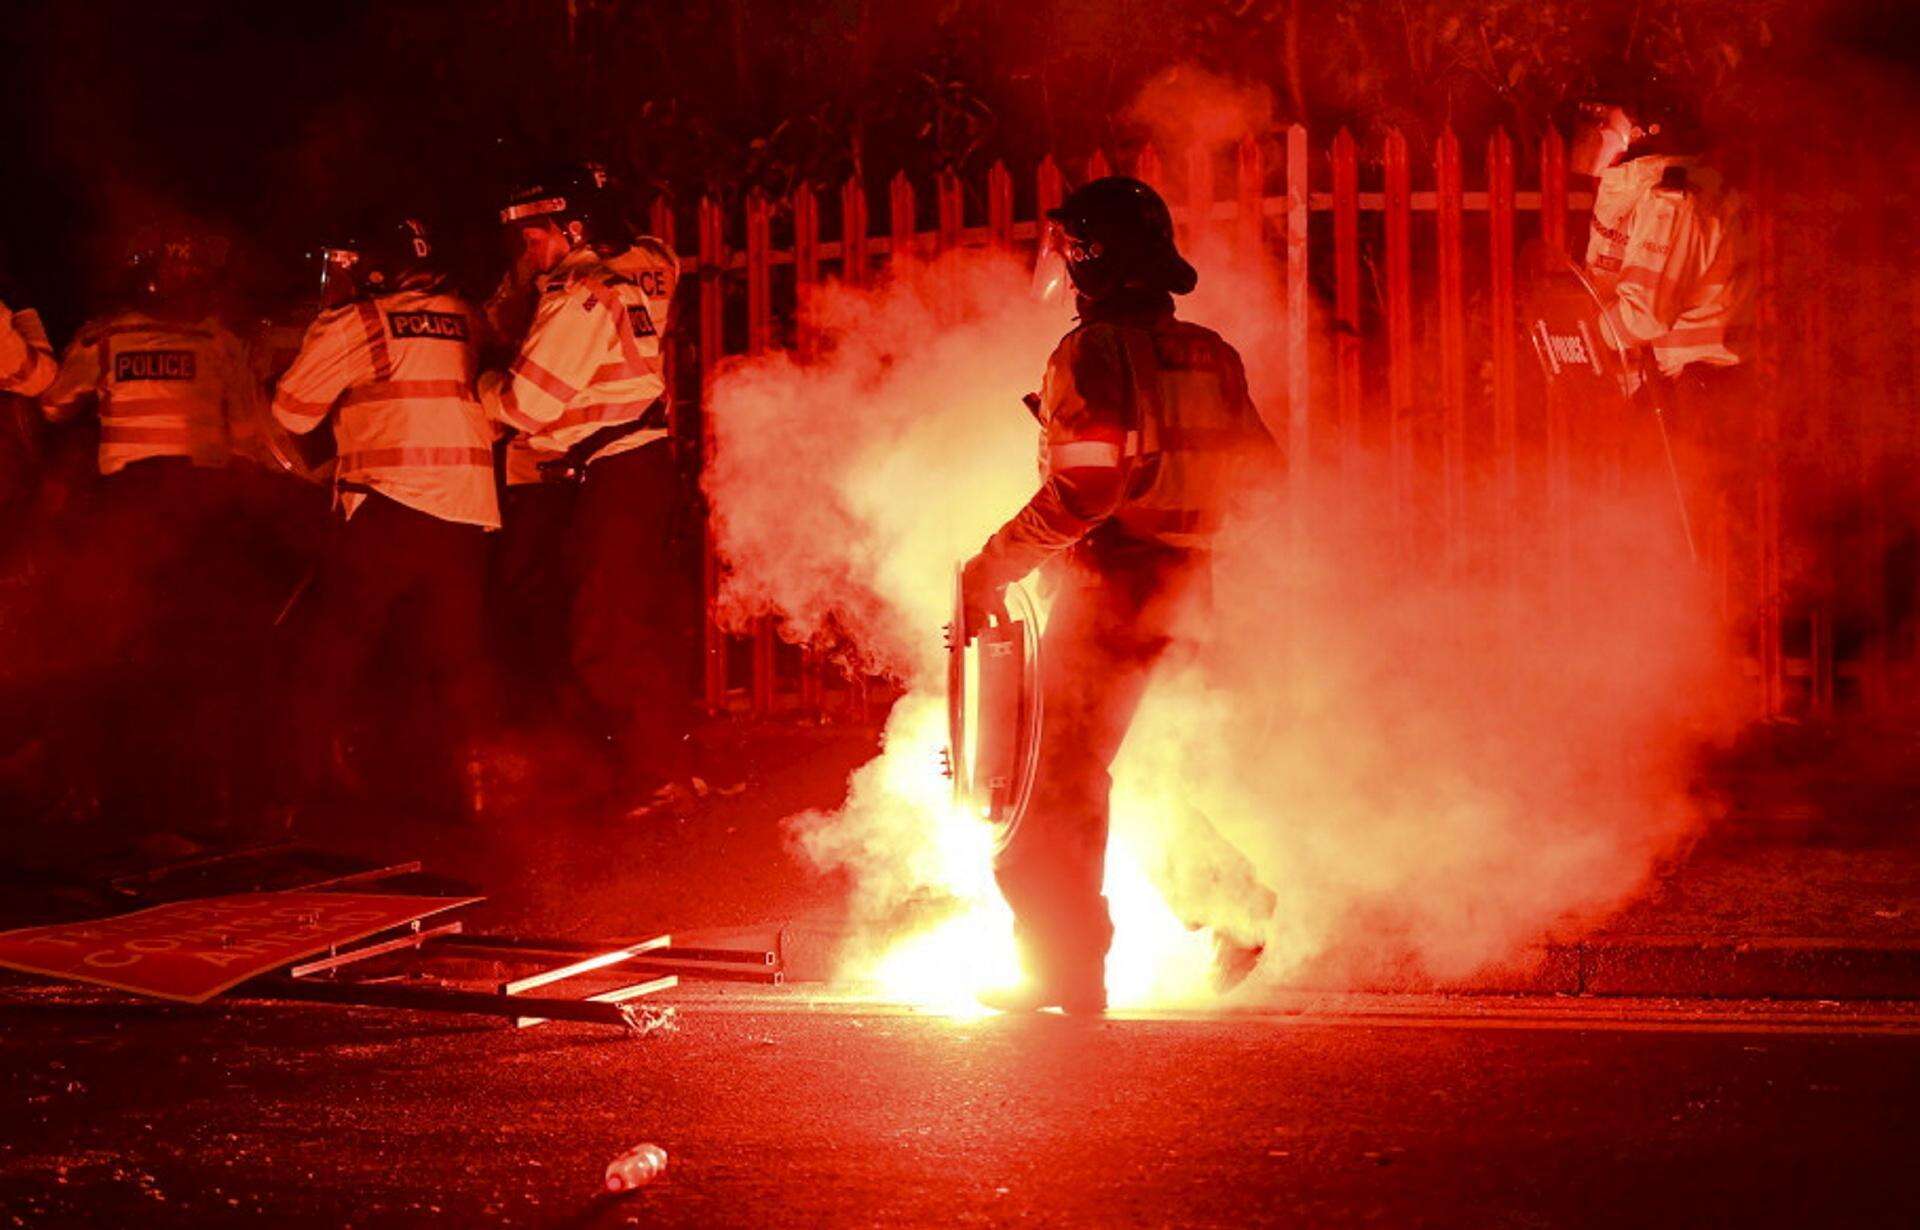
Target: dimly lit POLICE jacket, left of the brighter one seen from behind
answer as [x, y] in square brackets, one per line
[166, 389]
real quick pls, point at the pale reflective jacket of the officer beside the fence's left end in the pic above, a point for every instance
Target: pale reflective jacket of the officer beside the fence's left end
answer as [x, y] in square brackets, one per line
[592, 356]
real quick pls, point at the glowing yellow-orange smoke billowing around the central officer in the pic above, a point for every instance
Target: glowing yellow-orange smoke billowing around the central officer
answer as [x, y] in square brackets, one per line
[1383, 757]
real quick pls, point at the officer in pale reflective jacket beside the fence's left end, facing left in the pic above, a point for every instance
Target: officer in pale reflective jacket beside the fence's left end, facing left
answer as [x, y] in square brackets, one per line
[587, 392]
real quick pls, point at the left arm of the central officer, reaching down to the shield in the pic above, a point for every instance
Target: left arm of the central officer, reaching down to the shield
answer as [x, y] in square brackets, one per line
[1086, 458]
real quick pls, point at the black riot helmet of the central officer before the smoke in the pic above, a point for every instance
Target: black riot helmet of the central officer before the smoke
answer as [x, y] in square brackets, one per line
[1118, 235]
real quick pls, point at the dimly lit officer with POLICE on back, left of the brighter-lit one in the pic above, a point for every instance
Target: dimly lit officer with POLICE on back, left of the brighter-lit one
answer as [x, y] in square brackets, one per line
[156, 584]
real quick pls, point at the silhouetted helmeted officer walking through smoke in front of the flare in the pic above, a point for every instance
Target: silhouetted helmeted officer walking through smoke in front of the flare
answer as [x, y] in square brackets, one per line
[1147, 433]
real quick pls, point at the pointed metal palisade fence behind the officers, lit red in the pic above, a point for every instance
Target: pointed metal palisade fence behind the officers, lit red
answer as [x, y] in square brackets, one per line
[1404, 285]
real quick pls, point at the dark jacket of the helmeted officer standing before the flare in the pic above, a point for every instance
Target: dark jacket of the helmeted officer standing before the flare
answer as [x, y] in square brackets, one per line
[1145, 429]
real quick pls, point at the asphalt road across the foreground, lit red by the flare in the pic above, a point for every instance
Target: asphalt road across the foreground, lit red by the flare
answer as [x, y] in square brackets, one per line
[794, 1112]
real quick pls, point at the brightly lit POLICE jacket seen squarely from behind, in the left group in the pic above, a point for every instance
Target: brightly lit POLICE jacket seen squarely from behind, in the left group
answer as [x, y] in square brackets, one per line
[396, 373]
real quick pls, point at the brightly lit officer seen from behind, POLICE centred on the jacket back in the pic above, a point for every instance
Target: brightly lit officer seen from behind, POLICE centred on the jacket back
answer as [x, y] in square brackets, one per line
[391, 367]
